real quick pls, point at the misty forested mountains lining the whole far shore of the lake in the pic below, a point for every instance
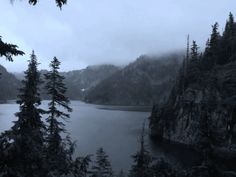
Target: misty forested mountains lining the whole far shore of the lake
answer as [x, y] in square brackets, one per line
[151, 76]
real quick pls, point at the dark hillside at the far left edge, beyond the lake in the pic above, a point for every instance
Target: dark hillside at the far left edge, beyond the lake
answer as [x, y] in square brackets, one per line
[8, 85]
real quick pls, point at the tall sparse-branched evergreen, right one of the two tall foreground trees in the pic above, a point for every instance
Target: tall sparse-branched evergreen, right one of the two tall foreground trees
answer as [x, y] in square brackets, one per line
[57, 153]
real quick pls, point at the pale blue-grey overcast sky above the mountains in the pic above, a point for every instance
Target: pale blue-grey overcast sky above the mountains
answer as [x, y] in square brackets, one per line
[90, 32]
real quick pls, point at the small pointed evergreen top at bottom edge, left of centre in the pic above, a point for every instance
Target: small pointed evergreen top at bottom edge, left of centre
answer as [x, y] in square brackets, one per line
[102, 167]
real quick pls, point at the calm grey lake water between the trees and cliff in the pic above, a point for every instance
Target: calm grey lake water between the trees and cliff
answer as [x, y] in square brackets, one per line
[116, 129]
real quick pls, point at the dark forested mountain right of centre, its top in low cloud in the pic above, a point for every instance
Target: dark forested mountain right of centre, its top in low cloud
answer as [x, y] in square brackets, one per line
[143, 82]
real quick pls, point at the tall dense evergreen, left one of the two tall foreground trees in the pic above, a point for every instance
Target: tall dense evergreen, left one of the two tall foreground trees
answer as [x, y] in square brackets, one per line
[22, 148]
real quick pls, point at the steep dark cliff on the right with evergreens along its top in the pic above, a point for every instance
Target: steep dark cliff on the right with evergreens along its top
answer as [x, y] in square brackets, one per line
[202, 103]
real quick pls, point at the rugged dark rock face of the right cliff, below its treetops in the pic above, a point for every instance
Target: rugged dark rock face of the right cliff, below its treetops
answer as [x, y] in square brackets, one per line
[179, 120]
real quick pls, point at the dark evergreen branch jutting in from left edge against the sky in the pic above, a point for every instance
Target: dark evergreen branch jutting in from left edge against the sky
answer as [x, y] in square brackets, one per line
[9, 50]
